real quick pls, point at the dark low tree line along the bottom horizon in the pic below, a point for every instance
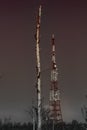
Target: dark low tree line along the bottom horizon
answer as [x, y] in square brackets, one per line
[74, 125]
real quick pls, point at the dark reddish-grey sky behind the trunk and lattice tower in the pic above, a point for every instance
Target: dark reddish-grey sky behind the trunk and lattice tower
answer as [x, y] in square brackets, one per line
[68, 21]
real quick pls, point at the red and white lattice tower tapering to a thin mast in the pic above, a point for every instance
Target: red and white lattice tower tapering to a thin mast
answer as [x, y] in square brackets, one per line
[55, 107]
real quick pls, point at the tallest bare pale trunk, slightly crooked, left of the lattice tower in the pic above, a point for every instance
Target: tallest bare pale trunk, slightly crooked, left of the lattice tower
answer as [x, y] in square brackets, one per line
[38, 69]
